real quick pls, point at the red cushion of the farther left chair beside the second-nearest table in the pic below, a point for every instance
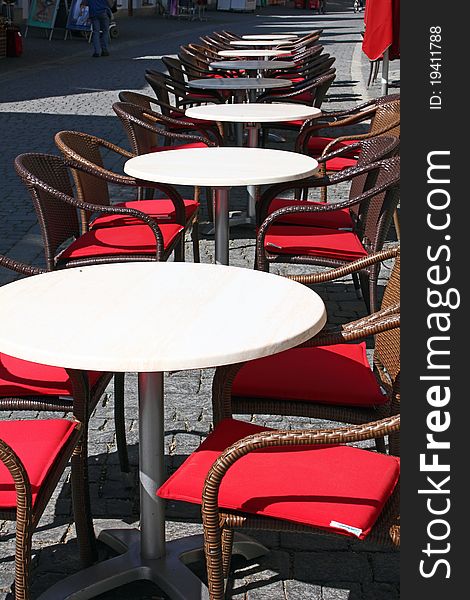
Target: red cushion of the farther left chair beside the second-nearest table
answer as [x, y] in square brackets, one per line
[160, 210]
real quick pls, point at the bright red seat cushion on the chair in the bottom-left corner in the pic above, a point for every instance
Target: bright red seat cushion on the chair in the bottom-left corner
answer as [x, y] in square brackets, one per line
[37, 444]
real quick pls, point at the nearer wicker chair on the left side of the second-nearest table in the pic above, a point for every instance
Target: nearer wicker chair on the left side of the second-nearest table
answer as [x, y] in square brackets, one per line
[130, 236]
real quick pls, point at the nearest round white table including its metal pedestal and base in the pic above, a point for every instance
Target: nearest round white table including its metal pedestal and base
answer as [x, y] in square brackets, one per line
[157, 330]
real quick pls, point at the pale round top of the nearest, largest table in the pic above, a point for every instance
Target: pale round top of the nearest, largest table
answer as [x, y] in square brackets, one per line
[155, 316]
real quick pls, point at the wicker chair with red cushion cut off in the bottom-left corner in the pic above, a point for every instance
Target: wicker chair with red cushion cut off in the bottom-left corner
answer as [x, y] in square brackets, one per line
[24, 495]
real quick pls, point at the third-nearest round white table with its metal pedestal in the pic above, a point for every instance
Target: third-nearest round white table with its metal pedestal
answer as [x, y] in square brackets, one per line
[252, 115]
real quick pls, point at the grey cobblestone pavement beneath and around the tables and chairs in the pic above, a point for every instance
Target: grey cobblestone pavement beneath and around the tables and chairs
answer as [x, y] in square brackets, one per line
[56, 86]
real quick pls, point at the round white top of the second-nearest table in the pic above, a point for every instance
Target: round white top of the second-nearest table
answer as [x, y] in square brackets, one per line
[221, 166]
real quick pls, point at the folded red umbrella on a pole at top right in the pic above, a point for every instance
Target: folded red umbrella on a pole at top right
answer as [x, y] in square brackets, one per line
[382, 33]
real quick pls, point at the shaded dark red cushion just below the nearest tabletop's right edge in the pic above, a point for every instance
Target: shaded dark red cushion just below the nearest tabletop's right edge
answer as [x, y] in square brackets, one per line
[339, 374]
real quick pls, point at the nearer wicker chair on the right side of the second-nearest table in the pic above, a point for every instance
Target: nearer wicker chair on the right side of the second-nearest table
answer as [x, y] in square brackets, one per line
[278, 241]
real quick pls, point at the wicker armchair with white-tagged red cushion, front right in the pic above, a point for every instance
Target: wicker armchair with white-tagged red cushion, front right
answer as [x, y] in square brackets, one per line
[251, 477]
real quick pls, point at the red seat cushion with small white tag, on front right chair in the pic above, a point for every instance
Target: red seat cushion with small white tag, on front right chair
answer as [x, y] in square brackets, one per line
[303, 484]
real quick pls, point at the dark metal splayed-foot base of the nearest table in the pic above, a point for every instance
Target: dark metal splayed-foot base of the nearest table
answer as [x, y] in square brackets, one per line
[169, 573]
